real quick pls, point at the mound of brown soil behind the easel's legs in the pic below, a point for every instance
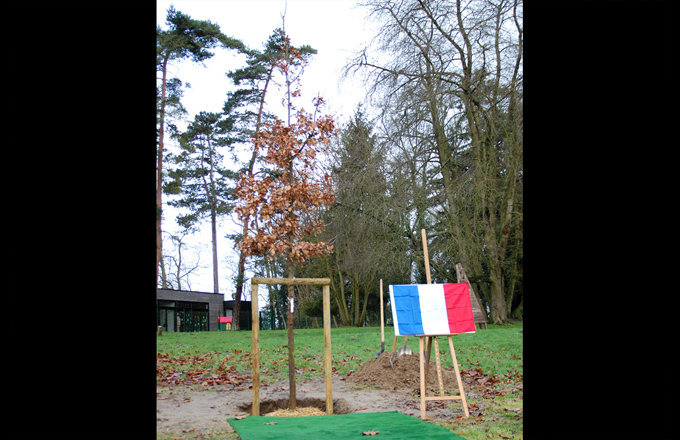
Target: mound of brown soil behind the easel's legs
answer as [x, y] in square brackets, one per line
[404, 376]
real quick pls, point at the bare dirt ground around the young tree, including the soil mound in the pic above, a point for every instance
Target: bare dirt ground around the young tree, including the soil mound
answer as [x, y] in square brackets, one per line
[374, 387]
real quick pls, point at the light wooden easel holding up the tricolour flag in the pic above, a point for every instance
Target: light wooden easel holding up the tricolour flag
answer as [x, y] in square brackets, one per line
[425, 363]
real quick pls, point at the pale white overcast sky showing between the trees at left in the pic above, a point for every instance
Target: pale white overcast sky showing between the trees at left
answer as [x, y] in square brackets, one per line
[334, 27]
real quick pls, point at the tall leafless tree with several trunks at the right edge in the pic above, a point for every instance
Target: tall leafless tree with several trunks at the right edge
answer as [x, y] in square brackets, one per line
[450, 79]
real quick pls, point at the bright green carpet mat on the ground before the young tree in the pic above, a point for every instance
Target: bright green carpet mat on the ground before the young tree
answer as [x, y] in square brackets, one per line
[392, 425]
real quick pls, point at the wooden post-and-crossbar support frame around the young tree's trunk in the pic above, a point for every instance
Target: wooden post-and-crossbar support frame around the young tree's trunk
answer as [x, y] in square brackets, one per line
[325, 283]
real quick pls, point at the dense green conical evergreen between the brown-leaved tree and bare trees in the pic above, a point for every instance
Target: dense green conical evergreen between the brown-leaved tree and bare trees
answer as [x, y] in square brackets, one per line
[358, 218]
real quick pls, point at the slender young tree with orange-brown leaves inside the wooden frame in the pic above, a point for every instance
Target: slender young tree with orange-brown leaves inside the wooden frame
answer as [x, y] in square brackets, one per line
[281, 206]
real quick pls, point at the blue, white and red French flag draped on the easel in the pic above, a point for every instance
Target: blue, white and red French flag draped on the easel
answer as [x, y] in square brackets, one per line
[431, 309]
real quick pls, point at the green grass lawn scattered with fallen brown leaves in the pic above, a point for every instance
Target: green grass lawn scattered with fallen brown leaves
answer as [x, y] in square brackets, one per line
[494, 352]
